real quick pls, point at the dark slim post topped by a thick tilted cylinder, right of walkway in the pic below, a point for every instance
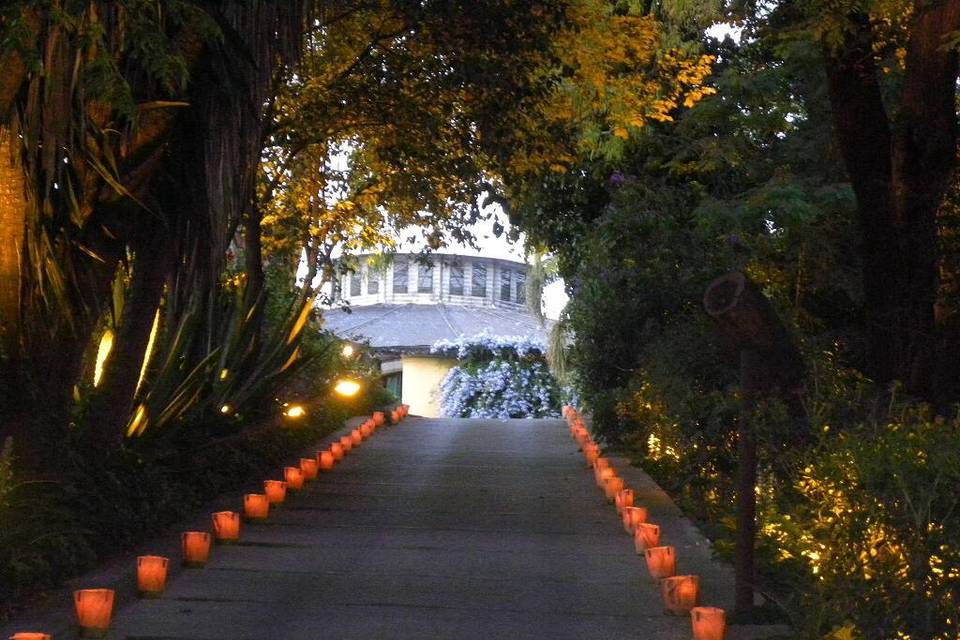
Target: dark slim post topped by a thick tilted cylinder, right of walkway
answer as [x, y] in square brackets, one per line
[770, 366]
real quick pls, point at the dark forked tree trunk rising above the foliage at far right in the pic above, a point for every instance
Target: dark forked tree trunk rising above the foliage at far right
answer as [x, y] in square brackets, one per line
[899, 174]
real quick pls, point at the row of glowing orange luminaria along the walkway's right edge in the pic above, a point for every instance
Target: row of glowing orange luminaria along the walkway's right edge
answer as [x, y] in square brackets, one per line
[681, 594]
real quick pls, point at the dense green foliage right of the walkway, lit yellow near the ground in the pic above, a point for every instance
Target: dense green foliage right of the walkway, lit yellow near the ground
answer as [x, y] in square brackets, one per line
[857, 485]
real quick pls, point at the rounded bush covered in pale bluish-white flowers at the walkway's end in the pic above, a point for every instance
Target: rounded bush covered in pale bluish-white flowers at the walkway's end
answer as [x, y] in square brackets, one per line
[498, 377]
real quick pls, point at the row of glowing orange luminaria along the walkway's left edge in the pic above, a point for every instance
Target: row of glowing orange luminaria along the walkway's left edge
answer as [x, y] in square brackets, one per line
[94, 607]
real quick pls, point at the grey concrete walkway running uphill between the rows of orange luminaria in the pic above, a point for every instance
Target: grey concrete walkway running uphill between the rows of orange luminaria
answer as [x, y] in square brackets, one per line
[440, 529]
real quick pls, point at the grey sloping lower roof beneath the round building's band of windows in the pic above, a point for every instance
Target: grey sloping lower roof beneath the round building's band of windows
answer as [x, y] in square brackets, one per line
[415, 327]
